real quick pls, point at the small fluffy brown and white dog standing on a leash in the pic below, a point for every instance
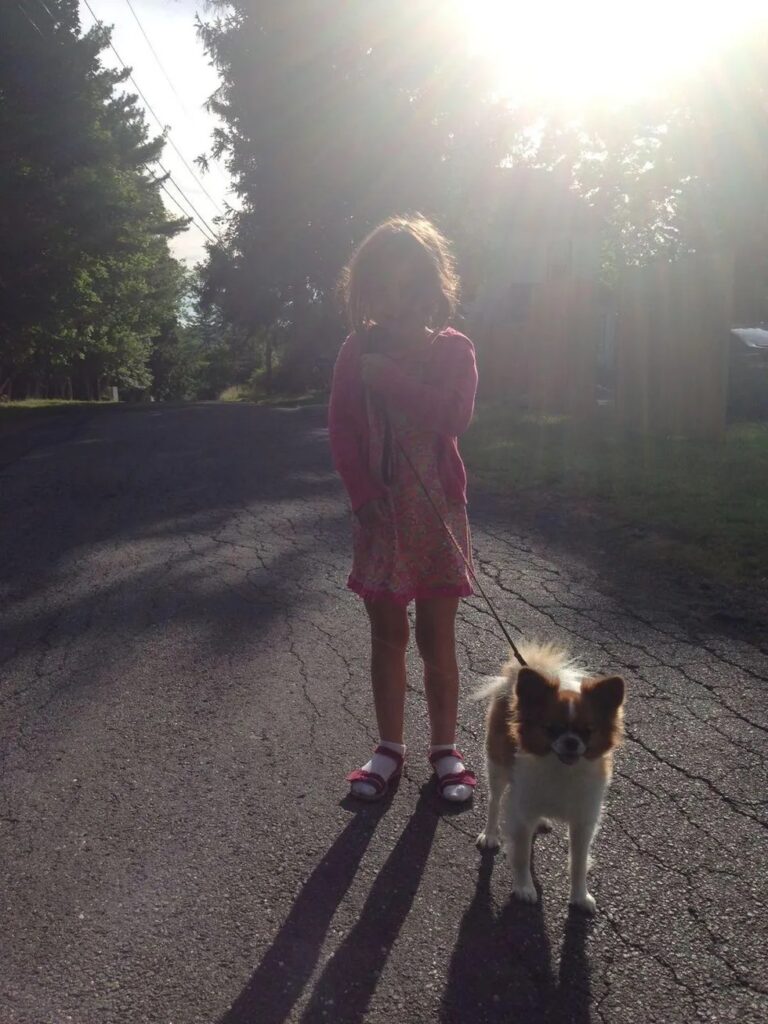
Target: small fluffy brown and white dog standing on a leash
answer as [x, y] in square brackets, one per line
[549, 742]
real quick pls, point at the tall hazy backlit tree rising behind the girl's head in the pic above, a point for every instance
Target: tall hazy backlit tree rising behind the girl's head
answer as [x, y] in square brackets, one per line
[334, 117]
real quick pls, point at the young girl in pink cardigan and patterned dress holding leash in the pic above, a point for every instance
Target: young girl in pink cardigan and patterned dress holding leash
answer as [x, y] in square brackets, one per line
[404, 389]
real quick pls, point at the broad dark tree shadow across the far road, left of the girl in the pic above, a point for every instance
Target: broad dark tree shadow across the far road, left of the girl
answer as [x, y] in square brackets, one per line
[129, 477]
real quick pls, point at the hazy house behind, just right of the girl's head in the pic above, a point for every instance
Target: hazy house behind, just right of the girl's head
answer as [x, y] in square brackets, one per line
[538, 305]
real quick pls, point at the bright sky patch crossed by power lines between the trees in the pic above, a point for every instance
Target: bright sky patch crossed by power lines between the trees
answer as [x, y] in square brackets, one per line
[170, 28]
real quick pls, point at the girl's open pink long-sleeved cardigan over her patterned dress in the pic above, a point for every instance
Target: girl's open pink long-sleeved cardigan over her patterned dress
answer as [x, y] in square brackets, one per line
[444, 403]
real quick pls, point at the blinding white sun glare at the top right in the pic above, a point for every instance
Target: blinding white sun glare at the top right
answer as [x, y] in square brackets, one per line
[579, 53]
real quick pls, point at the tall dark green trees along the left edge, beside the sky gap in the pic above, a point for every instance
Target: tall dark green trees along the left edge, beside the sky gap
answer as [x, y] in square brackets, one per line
[87, 280]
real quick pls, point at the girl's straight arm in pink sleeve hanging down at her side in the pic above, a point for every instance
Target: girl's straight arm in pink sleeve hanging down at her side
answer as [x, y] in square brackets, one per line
[348, 428]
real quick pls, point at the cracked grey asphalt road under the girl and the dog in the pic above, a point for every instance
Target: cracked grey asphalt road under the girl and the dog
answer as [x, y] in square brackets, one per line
[184, 687]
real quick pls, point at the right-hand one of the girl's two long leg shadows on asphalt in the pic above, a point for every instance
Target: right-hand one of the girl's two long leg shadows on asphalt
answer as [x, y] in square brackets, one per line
[345, 990]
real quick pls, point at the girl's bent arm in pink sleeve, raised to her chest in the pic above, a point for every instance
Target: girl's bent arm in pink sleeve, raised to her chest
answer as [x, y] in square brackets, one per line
[446, 408]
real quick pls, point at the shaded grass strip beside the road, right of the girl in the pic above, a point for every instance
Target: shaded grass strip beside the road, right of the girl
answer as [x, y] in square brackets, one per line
[706, 503]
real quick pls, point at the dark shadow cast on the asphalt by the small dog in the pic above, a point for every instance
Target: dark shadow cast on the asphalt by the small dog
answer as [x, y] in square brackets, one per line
[501, 969]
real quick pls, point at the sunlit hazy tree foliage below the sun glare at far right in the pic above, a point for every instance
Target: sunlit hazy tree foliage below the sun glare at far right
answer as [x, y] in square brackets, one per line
[681, 173]
